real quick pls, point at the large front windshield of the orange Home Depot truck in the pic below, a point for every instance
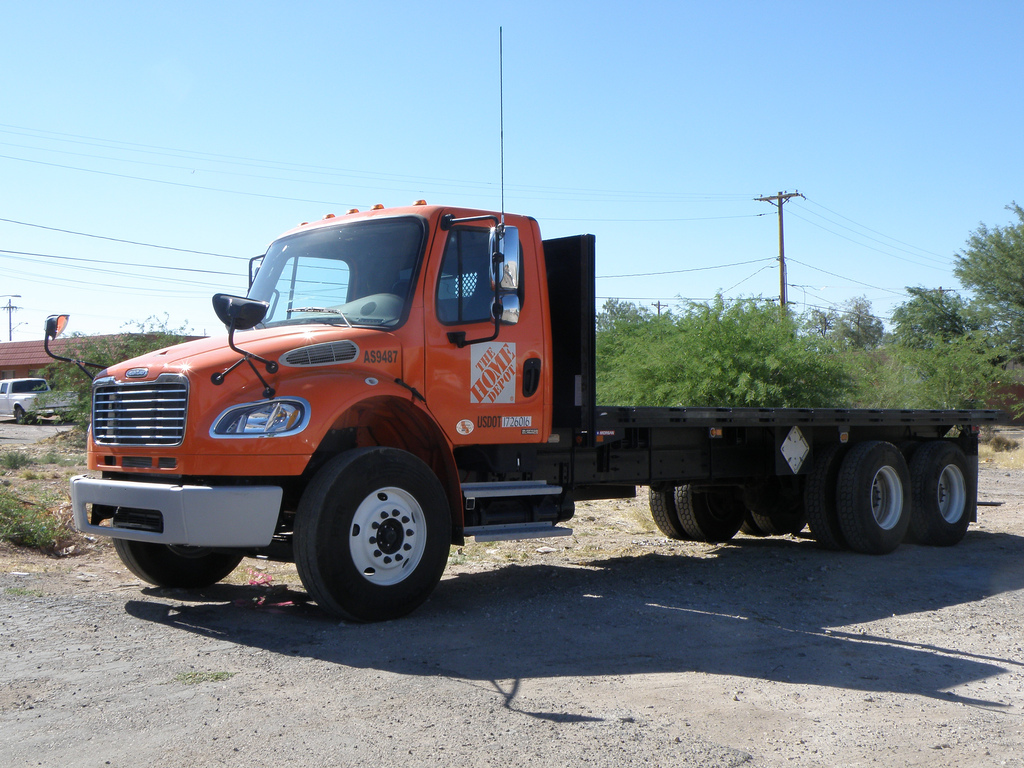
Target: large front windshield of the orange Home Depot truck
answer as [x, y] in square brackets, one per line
[359, 274]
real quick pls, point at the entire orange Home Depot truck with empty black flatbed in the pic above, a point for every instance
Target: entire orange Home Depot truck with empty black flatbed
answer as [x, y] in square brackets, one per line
[399, 380]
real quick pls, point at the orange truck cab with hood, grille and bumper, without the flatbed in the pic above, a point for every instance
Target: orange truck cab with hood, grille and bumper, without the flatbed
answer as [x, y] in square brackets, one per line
[407, 335]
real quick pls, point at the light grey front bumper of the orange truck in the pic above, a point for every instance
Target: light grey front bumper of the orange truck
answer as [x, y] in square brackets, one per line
[190, 516]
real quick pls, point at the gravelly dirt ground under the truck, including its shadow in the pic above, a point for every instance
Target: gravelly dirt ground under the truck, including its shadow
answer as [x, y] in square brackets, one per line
[612, 648]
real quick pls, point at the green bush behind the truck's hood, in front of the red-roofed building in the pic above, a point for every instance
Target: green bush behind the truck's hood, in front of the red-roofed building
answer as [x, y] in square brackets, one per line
[136, 339]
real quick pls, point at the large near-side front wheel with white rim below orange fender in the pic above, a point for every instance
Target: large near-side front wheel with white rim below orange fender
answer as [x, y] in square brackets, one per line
[342, 557]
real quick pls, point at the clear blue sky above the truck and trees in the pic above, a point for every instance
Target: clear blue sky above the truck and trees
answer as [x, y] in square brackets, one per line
[149, 151]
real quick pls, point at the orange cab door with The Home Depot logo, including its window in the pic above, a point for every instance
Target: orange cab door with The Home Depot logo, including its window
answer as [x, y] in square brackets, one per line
[486, 392]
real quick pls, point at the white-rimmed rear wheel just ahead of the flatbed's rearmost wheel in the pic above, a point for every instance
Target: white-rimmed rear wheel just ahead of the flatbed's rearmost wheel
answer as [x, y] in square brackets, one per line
[874, 498]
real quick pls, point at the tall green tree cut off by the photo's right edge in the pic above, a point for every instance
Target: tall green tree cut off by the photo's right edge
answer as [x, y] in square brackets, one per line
[993, 266]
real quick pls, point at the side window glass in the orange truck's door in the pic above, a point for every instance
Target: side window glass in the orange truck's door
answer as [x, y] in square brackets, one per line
[464, 293]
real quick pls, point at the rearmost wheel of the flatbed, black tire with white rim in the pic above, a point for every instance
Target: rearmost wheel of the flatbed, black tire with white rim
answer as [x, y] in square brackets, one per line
[945, 494]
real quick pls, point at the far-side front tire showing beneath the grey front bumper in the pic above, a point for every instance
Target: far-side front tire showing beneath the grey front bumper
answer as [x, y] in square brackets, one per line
[185, 568]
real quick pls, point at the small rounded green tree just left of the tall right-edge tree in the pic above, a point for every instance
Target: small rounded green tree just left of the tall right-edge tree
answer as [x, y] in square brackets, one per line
[933, 316]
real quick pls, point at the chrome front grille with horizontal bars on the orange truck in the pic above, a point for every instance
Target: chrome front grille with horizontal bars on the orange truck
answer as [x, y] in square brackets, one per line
[145, 414]
